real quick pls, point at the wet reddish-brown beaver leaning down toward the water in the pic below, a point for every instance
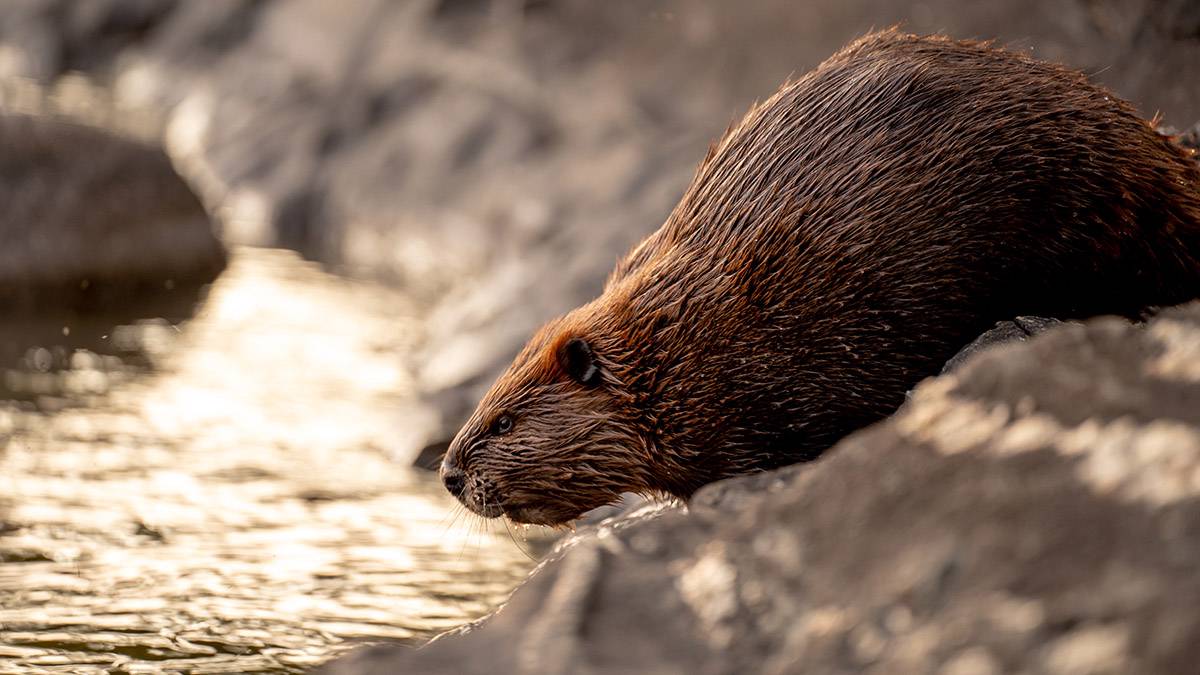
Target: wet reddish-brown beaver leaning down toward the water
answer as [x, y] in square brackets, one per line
[835, 248]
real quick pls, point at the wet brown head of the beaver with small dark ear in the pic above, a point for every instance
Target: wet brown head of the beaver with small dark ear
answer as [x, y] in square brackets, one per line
[557, 435]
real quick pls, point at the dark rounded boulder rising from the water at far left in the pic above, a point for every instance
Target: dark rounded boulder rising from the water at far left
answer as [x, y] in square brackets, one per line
[91, 218]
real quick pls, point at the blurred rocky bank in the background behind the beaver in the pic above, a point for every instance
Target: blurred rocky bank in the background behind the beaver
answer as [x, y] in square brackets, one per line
[499, 156]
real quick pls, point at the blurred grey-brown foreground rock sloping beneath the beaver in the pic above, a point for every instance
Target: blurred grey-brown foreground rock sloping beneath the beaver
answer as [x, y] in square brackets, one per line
[1036, 511]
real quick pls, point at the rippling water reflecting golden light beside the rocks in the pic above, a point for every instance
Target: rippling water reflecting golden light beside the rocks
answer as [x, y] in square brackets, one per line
[218, 495]
